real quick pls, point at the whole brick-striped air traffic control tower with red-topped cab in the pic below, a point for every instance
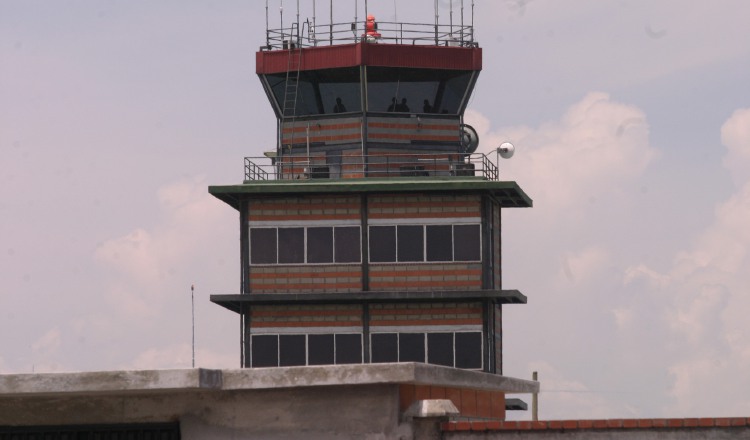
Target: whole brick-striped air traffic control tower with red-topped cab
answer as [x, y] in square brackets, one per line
[372, 232]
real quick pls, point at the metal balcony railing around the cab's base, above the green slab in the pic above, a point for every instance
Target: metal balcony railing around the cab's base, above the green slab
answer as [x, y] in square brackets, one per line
[379, 165]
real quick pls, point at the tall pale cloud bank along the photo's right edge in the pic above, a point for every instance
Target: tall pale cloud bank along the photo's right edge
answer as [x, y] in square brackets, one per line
[708, 301]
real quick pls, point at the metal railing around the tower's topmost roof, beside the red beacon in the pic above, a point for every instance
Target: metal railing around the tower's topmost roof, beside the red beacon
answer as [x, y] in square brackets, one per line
[307, 35]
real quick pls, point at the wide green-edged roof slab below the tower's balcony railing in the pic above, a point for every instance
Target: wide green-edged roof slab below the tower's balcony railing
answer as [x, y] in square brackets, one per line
[507, 193]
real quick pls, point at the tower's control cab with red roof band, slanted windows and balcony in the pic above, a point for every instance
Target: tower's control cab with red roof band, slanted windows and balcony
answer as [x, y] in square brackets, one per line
[370, 99]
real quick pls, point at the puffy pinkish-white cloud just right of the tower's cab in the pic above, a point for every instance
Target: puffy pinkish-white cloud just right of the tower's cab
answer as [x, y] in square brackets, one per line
[597, 145]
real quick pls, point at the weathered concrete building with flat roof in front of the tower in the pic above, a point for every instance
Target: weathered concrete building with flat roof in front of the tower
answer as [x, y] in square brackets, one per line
[331, 402]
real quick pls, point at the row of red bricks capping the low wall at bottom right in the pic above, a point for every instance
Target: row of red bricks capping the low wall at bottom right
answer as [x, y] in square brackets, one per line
[742, 423]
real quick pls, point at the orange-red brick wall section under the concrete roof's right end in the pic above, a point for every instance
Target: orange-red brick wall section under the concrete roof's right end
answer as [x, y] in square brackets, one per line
[470, 403]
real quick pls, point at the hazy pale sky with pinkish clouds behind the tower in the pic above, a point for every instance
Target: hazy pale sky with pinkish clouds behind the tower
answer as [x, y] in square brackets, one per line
[631, 121]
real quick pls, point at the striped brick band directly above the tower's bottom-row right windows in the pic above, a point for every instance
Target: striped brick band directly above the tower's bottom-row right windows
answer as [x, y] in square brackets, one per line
[405, 315]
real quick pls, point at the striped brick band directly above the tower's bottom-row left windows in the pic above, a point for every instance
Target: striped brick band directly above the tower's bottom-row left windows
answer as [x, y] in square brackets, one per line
[322, 316]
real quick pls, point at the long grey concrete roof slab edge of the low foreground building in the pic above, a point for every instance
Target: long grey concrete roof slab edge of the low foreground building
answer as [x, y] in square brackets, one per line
[255, 379]
